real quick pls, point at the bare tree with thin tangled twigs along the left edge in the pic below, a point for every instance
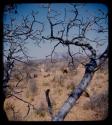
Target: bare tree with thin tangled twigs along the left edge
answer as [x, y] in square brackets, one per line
[15, 35]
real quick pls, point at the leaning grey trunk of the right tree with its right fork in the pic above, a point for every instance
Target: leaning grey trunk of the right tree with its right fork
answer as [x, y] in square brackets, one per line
[76, 93]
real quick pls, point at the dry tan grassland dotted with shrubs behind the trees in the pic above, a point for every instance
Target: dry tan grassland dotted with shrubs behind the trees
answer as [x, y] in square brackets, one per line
[92, 105]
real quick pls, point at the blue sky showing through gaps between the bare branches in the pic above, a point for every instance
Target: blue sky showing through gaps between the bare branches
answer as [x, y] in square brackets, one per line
[45, 48]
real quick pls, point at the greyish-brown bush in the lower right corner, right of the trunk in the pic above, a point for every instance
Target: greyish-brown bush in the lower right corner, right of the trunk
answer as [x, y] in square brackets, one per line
[98, 103]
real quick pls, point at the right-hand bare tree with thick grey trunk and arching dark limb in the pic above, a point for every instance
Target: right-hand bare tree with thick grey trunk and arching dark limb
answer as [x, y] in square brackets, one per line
[79, 39]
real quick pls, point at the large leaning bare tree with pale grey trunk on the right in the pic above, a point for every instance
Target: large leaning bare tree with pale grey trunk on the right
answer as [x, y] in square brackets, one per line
[80, 26]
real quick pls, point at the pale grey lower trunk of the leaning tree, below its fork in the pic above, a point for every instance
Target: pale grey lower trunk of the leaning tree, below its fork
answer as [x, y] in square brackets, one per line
[70, 102]
